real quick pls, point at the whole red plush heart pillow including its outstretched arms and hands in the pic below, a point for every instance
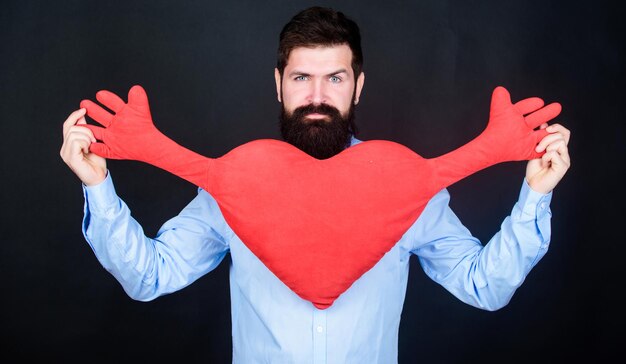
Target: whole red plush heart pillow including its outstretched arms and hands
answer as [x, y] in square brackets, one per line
[319, 225]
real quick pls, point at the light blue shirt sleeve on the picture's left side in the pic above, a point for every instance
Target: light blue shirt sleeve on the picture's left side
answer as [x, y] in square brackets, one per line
[185, 248]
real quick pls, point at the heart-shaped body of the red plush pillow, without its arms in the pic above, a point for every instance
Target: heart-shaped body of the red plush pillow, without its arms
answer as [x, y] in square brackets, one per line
[318, 225]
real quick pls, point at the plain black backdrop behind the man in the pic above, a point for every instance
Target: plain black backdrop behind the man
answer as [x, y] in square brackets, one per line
[208, 69]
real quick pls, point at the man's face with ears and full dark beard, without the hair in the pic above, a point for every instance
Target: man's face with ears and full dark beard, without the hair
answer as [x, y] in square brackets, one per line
[318, 92]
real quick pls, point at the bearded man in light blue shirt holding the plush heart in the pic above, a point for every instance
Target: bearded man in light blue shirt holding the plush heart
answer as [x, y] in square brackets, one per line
[319, 80]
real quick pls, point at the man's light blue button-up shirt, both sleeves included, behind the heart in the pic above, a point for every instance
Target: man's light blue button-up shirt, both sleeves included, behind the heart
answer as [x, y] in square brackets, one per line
[270, 323]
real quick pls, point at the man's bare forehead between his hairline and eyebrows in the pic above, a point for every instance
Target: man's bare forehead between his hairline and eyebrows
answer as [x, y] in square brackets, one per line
[320, 59]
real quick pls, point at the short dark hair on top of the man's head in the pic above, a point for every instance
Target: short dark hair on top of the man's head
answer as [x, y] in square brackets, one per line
[319, 26]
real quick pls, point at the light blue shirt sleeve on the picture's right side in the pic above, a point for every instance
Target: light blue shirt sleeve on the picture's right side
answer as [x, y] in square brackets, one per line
[483, 276]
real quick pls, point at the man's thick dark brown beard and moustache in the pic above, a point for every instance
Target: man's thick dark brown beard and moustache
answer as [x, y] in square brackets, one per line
[320, 138]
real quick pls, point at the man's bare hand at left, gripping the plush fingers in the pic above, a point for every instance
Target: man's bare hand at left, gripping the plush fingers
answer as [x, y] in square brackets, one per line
[90, 168]
